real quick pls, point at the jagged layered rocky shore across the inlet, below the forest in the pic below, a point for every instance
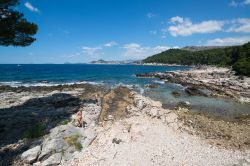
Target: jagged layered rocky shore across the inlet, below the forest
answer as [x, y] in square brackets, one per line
[209, 81]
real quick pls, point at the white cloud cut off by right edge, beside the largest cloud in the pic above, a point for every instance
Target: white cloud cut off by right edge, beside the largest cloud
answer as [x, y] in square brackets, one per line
[240, 25]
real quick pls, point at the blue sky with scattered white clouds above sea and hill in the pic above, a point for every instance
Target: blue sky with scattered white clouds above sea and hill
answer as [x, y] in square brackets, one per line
[79, 31]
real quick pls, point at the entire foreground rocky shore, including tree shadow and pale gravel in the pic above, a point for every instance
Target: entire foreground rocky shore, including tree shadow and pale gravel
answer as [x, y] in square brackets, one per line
[87, 124]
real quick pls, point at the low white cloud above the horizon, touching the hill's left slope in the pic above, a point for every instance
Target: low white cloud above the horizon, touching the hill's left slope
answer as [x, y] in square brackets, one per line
[136, 51]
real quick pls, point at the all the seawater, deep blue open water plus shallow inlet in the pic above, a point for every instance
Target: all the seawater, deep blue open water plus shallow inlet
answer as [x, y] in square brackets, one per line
[116, 75]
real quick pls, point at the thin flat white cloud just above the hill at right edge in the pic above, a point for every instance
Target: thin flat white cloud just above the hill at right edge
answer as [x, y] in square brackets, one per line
[228, 41]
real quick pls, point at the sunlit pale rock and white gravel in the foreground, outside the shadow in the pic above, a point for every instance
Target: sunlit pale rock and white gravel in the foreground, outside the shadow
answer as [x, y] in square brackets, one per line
[147, 135]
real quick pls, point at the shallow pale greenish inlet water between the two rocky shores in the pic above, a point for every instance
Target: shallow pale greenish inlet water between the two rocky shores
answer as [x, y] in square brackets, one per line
[224, 108]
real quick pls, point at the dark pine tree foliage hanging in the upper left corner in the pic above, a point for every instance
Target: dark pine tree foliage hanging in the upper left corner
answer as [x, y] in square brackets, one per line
[14, 29]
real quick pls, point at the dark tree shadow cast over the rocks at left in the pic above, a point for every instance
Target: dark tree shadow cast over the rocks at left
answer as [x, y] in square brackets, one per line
[21, 126]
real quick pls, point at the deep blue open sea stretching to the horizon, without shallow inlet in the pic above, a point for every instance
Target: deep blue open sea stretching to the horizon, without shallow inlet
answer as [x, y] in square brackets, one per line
[48, 74]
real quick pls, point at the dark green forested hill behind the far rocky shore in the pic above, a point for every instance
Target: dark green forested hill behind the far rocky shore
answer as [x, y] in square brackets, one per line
[236, 56]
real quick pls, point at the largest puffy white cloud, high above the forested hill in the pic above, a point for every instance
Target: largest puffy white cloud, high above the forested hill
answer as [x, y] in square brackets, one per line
[185, 27]
